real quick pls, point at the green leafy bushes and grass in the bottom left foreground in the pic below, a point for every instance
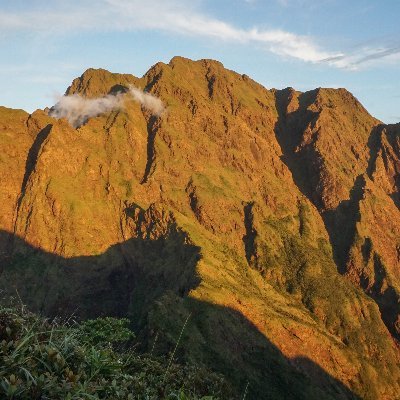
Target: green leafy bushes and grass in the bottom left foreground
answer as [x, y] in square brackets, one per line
[49, 360]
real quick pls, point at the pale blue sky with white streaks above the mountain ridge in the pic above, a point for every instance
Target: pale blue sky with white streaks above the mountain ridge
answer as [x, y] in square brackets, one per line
[299, 43]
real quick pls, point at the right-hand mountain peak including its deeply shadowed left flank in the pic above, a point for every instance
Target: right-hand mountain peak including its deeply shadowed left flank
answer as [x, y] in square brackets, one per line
[342, 158]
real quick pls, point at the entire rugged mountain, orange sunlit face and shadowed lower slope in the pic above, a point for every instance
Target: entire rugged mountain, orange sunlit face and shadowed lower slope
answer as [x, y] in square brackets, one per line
[269, 218]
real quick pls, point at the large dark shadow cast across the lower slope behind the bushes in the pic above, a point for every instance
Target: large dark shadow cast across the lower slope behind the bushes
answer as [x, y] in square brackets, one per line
[149, 281]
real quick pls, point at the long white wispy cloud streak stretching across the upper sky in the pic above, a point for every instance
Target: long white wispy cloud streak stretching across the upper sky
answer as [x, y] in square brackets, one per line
[184, 18]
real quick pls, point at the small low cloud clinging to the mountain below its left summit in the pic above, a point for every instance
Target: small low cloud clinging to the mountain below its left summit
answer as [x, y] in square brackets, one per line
[77, 109]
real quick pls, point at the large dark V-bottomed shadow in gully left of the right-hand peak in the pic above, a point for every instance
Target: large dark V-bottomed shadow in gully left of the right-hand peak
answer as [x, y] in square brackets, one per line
[305, 168]
